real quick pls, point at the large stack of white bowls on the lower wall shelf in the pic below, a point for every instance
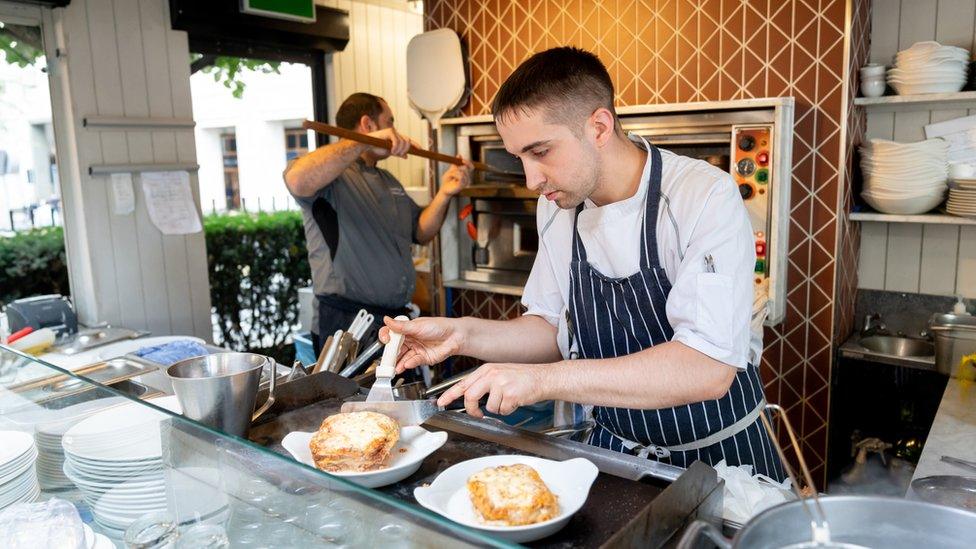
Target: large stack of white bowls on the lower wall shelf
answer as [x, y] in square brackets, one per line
[904, 178]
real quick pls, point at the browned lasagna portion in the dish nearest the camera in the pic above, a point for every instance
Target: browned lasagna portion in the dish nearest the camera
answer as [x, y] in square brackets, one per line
[511, 495]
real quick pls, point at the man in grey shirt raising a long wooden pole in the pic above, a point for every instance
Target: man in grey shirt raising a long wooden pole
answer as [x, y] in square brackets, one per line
[360, 223]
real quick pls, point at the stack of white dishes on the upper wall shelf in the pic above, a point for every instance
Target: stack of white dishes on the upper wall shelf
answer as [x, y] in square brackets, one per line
[929, 67]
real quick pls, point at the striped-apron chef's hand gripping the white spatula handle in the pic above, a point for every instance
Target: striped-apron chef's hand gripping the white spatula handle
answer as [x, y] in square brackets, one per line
[426, 340]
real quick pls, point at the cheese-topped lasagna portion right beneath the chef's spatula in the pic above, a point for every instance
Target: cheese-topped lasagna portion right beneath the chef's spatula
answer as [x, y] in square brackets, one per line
[357, 441]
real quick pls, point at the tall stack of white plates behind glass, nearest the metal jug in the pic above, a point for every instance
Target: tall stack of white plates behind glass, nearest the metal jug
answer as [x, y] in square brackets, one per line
[115, 458]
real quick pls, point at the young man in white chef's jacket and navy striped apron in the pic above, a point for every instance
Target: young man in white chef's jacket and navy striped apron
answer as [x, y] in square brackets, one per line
[643, 279]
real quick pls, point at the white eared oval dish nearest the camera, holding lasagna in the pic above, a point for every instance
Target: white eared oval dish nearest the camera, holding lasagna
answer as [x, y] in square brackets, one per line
[569, 480]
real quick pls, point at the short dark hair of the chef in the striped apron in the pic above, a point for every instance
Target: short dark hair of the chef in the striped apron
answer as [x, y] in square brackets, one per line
[570, 83]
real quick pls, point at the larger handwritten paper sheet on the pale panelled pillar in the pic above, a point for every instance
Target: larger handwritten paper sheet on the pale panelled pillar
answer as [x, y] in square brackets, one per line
[170, 202]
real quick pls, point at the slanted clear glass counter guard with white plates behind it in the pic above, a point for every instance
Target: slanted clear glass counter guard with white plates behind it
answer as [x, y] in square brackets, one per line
[120, 460]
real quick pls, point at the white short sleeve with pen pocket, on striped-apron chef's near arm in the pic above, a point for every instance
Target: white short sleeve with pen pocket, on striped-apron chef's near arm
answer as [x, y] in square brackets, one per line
[711, 311]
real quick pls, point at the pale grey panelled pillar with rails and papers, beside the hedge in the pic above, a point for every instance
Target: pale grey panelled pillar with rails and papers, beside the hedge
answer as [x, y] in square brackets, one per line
[124, 60]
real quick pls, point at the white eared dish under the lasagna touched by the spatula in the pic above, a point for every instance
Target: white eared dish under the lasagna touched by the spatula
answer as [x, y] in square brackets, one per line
[417, 441]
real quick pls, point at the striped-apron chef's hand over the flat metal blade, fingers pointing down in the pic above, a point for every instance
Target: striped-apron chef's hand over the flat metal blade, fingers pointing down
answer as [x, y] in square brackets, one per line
[508, 386]
